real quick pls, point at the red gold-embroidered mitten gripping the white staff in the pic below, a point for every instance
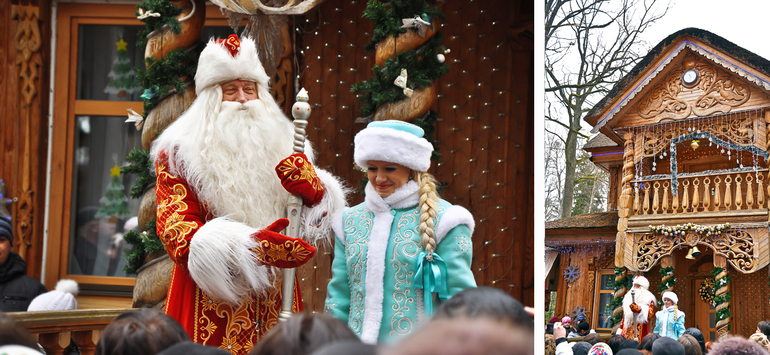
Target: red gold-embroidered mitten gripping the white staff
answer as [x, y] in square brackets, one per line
[298, 177]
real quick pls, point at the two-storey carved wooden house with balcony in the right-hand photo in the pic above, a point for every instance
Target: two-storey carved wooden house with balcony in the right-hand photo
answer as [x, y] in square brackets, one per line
[684, 137]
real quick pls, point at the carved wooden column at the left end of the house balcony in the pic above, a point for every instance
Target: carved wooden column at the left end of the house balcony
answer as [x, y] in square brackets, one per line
[624, 206]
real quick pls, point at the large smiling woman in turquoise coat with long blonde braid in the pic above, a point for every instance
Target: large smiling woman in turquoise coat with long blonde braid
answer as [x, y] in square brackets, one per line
[402, 243]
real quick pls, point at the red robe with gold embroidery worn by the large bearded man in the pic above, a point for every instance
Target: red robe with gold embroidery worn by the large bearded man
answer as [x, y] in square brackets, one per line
[233, 327]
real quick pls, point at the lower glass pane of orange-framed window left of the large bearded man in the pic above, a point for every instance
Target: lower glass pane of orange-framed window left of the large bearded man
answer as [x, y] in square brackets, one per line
[102, 210]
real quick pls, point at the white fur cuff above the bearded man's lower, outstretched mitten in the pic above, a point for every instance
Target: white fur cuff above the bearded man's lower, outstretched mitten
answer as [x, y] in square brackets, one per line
[222, 262]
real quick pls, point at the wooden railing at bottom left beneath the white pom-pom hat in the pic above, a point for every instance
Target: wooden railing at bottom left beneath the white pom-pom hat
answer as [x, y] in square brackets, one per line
[54, 329]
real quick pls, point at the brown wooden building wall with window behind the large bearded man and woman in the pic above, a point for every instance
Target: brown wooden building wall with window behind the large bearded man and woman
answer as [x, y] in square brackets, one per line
[63, 128]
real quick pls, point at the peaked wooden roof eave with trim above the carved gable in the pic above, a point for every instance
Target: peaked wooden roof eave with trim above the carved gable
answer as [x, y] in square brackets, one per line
[606, 119]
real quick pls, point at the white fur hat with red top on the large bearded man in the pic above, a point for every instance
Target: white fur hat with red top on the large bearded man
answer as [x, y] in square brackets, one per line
[218, 64]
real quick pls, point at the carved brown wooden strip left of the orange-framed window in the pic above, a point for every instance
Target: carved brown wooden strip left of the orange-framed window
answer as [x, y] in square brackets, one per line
[27, 41]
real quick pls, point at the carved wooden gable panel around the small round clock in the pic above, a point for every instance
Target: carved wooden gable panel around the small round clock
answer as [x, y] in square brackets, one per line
[717, 91]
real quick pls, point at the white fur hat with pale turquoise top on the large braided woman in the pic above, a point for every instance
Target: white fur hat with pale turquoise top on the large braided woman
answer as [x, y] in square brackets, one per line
[394, 142]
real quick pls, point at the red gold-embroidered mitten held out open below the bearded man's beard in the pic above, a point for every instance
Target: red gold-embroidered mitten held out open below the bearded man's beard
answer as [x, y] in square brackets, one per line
[280, 250]
